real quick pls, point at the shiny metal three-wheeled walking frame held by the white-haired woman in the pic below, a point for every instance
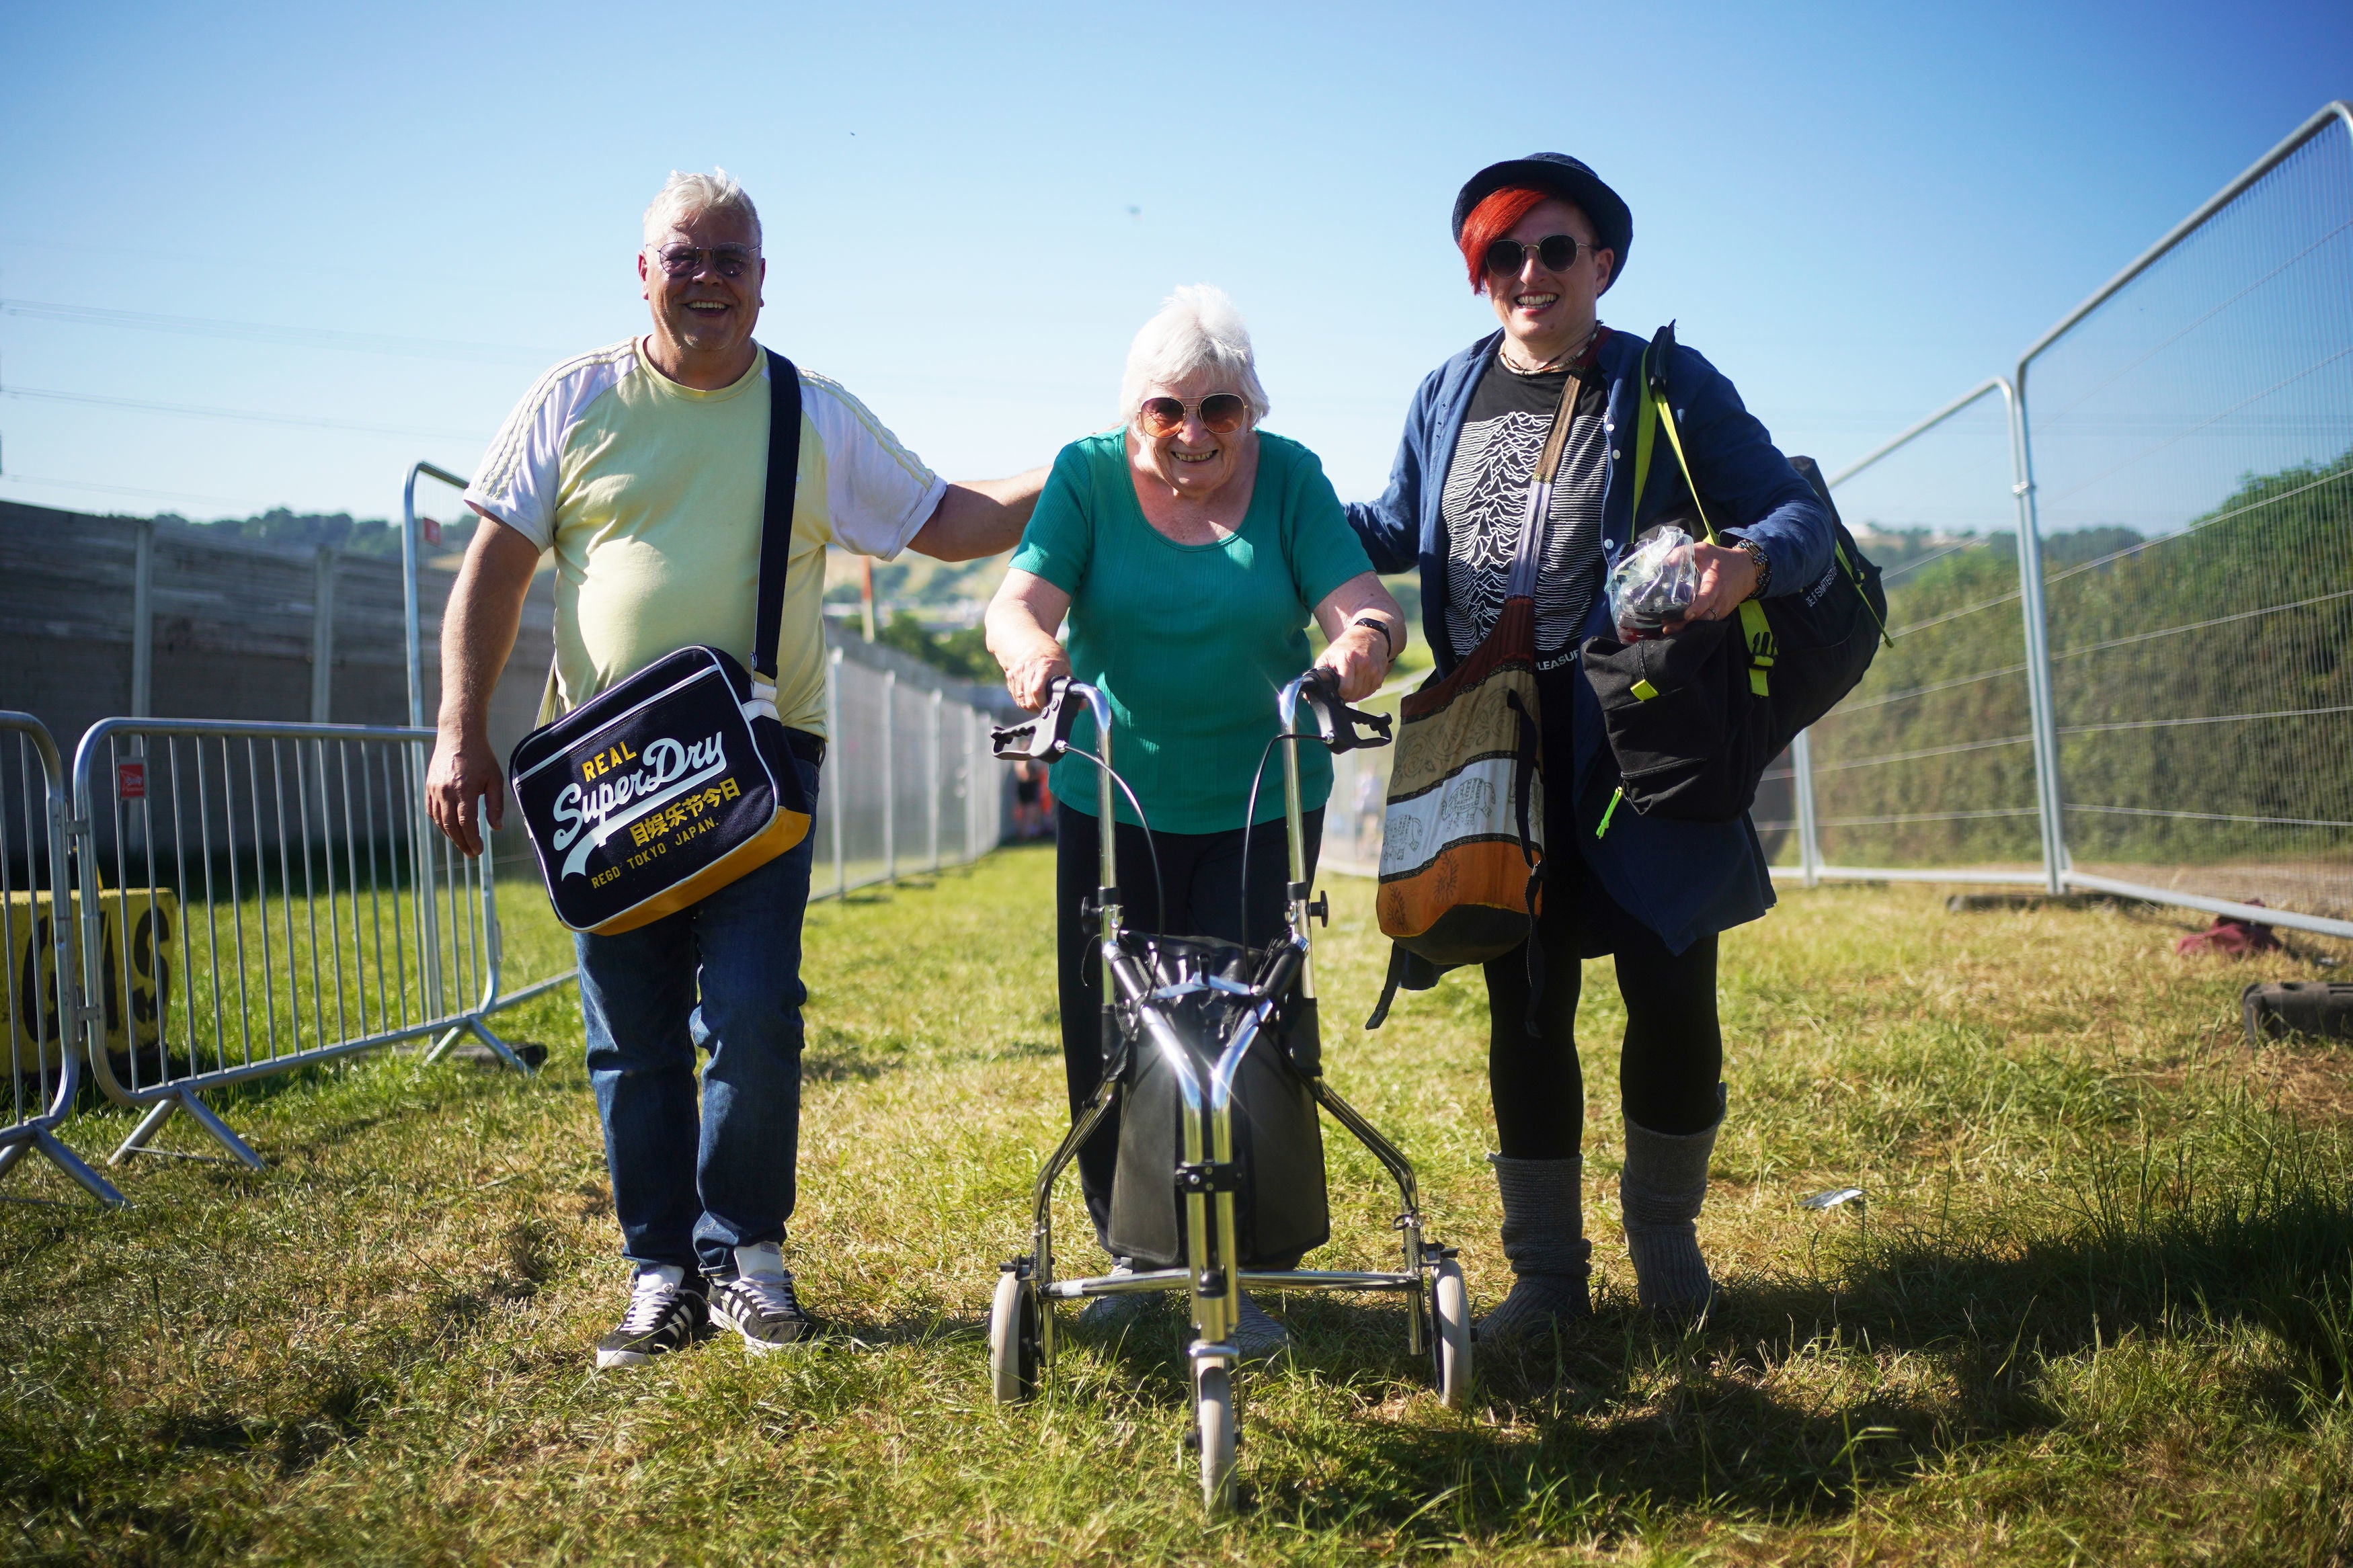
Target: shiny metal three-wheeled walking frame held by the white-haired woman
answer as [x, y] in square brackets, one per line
[1204, 1010]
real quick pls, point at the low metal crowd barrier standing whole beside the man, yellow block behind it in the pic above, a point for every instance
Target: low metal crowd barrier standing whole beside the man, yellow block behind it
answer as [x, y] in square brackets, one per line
[265, 897]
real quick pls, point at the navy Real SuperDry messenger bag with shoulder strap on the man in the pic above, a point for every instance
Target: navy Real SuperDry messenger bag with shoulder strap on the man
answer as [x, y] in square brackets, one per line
[679, 779]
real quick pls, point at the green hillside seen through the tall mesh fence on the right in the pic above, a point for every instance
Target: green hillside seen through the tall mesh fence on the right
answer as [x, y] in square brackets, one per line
[2239, 622]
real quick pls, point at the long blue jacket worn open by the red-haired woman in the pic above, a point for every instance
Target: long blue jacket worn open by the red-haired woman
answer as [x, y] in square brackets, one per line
[1684, 880]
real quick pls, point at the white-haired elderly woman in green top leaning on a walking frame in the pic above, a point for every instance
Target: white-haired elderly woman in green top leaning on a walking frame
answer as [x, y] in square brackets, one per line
[1189, 551]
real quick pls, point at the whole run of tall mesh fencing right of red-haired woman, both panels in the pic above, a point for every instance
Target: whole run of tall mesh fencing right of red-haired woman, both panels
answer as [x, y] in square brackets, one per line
[2164, 711]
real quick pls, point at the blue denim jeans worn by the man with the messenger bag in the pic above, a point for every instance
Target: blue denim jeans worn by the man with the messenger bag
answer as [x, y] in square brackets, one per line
[695, 1184]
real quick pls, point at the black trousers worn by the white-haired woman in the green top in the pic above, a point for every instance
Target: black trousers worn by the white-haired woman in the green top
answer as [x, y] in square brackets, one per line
[1204, 899]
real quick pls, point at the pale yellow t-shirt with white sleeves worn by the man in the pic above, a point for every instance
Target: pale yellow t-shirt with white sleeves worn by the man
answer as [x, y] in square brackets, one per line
[651, 495]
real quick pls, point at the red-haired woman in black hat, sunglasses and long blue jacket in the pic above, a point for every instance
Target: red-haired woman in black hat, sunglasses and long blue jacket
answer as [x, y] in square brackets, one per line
[1545, 239]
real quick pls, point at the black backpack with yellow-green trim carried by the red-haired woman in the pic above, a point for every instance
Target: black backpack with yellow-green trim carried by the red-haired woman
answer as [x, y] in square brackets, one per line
[1698, 718]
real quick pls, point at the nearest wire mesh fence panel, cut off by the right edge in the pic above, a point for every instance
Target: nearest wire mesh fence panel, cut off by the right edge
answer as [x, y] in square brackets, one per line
[2192, 441]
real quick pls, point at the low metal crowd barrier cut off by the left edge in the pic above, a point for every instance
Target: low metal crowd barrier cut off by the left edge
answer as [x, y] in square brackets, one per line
[44, 1000]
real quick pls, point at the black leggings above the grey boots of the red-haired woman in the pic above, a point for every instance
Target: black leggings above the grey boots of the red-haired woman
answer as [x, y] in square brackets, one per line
[1674, 1050]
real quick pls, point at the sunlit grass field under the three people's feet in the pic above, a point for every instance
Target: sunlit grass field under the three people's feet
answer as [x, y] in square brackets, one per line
[2100, 1306]
